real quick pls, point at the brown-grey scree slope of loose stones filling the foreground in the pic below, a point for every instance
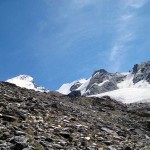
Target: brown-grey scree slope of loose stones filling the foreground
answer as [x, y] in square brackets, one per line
[31, 120]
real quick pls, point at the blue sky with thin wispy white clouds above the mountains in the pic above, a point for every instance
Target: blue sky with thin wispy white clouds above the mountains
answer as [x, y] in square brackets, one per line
[58, 41]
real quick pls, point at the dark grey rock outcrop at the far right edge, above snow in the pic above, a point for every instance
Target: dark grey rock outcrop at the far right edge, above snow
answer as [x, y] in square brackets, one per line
[141, 72]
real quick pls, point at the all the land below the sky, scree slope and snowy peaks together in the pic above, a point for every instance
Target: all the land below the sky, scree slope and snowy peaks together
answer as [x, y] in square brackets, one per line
[82, 118]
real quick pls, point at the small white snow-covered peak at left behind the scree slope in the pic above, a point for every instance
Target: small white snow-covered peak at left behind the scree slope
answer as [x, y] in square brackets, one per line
[26, 81]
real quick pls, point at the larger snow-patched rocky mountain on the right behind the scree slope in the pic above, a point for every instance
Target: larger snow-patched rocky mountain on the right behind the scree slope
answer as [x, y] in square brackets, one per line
[115, 85]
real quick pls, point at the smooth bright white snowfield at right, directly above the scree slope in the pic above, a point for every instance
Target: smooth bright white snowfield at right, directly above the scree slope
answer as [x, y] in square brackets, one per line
[128, 95]
